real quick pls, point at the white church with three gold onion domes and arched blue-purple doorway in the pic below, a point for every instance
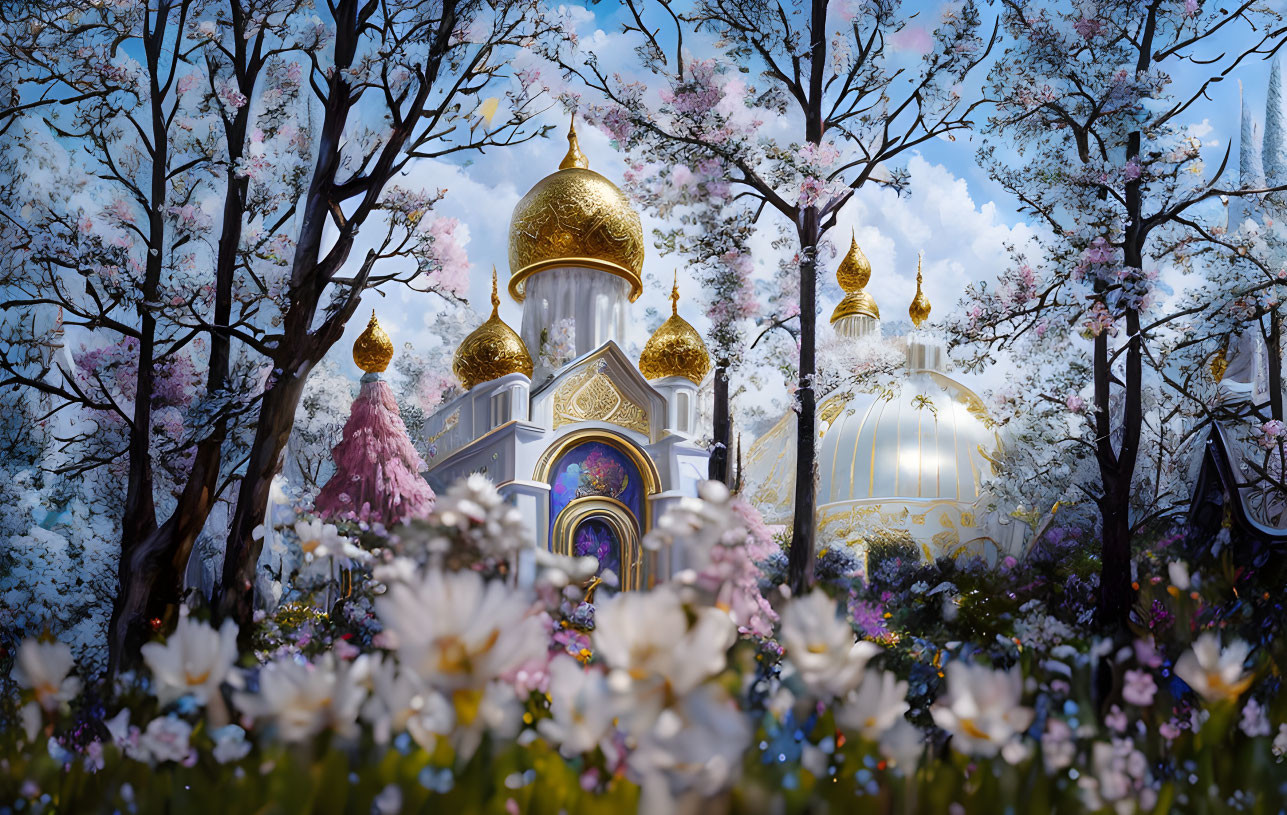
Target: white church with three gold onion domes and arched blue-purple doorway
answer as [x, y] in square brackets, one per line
[594, 449]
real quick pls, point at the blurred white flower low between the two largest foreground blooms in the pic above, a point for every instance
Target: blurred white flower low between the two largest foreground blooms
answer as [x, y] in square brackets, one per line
[581, 709]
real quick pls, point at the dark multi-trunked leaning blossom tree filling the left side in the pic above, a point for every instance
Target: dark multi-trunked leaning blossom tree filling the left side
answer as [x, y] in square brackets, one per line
[201, 203]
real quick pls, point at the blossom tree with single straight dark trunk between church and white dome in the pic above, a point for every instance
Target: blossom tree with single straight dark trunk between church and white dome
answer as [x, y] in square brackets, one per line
[842, 92]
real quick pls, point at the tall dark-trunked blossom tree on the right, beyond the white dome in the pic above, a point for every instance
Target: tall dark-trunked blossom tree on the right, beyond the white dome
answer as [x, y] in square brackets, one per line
[1091, 137]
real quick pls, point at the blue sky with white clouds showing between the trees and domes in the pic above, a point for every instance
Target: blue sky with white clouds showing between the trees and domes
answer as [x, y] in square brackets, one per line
[956, 214]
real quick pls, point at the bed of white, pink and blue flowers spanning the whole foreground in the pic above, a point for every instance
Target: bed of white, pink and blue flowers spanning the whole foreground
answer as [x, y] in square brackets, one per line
[436, 686]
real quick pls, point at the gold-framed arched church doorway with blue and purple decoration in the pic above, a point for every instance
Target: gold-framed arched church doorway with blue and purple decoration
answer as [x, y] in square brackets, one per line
[599, 489]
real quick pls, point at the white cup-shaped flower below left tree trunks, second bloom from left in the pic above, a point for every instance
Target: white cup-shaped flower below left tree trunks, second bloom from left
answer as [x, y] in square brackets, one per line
[195, 660]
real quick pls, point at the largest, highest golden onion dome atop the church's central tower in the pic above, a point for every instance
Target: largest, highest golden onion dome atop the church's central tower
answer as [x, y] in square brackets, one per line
[576, 218]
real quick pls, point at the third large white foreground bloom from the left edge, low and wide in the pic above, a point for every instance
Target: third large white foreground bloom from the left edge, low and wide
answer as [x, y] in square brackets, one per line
[304, 700]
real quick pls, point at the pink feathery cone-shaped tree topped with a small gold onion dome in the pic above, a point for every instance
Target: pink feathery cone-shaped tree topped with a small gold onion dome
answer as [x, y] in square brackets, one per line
[376, 467]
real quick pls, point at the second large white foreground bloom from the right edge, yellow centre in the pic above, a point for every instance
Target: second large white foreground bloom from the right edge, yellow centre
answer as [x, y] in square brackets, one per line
[981, 709]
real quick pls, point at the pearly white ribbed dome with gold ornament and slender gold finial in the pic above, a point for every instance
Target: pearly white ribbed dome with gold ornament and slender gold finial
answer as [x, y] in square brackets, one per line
[907, 464]
